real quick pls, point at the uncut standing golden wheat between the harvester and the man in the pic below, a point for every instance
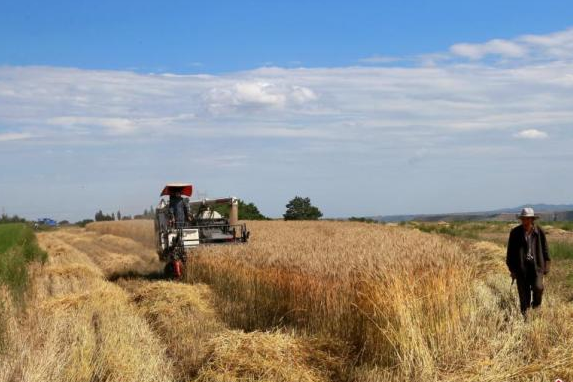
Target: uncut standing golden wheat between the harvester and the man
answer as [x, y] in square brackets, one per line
[411, 305]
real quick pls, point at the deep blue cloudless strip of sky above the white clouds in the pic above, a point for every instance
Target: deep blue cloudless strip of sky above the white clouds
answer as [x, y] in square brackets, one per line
[225, 36]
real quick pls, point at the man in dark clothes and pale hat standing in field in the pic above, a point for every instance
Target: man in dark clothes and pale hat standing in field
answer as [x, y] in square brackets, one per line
[528, 259]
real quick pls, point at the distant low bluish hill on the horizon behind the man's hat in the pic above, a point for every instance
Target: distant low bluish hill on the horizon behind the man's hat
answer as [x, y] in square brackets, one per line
[548, 212]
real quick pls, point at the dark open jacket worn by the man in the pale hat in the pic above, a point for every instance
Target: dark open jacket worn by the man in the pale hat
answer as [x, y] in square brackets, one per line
[517, 251]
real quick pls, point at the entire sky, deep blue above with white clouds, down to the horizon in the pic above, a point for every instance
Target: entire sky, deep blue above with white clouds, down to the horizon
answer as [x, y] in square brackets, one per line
[366, 107]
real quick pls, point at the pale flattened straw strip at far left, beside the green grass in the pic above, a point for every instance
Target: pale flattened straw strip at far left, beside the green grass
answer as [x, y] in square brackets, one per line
[79, 327]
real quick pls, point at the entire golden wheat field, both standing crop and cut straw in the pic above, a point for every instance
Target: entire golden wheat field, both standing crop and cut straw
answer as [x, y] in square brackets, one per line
[302, 301]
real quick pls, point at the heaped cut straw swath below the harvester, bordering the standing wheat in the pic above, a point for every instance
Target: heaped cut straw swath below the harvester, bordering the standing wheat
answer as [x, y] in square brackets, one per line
[204, 349]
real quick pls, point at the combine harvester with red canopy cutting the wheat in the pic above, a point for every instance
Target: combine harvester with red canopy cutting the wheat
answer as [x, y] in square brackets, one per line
[202, 225]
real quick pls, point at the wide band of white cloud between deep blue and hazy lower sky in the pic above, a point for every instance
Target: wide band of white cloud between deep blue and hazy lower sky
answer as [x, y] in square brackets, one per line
[364, 105]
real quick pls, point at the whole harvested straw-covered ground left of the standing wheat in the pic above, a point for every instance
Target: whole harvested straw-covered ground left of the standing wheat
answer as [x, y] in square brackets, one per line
[81, 327]
